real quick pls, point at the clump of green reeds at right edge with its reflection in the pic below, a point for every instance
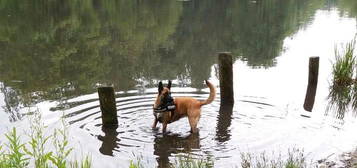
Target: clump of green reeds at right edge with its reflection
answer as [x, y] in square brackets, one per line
[343, 89]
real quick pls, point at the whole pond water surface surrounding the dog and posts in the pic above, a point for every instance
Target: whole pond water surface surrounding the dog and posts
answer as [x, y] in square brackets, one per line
[54, 54]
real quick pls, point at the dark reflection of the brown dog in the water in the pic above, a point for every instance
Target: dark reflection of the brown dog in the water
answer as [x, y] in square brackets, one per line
[168, 144]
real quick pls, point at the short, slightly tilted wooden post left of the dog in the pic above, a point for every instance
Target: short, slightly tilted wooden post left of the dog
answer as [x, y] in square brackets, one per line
[108, 106]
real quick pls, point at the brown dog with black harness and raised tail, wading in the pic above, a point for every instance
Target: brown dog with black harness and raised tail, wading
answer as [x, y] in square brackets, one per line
[182, 107]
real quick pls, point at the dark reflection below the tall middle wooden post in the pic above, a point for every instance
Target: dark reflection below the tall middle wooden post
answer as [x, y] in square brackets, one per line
[223, 124]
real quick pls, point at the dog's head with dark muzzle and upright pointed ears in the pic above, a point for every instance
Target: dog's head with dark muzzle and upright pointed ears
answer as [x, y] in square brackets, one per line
[164, 95]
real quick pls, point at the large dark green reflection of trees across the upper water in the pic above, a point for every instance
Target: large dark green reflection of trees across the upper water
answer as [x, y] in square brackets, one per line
[66, 48]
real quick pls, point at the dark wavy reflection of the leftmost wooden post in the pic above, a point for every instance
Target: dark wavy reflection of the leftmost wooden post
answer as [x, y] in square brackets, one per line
[110, 141]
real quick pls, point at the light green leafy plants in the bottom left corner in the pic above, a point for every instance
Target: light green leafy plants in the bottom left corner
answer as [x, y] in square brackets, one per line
[34, 152]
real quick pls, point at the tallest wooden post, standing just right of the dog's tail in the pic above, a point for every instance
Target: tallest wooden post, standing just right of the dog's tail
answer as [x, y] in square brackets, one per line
[226, 78]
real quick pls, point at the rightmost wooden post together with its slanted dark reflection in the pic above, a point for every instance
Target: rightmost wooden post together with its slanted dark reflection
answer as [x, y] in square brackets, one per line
[312, 85]
